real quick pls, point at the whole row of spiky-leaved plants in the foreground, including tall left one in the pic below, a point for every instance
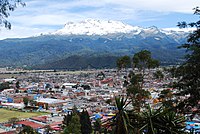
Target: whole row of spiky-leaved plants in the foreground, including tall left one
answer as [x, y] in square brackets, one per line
[147, 121]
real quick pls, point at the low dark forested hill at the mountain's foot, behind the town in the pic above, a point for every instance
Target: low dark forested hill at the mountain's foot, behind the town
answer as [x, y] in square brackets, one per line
[81, 62]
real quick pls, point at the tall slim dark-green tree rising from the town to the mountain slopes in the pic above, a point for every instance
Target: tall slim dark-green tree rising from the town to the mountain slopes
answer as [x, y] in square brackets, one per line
[142, 61]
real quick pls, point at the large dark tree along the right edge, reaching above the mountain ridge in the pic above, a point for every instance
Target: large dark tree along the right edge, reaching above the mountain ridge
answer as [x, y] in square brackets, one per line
[188, 74]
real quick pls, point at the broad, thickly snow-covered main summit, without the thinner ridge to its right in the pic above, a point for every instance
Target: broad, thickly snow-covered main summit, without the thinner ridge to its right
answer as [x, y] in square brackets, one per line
[96, 27]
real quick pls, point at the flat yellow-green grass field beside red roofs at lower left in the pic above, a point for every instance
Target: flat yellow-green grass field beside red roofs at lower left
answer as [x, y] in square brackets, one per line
[6, 115]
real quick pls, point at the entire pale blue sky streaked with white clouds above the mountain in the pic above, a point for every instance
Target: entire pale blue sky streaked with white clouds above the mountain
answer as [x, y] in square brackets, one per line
[43, 16]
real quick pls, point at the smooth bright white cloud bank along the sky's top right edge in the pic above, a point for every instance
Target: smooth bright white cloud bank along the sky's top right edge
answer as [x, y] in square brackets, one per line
[184, 6]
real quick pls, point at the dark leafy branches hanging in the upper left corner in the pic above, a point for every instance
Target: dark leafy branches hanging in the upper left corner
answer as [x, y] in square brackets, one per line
[7, 6]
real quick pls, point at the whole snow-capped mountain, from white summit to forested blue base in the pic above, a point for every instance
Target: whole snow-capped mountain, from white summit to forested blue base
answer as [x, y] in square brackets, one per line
[91, 44]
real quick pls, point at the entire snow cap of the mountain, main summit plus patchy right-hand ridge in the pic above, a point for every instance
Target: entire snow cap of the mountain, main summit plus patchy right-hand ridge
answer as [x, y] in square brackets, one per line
[102, 27]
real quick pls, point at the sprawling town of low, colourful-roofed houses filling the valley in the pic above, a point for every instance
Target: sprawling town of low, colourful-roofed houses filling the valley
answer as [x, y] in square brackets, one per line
[58, 92]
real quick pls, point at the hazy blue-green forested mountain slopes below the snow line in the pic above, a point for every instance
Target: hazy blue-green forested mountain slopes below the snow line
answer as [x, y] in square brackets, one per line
[61, 52]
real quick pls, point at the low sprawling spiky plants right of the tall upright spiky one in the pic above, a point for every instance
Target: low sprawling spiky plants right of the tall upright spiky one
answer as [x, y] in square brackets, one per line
[161, 121]
